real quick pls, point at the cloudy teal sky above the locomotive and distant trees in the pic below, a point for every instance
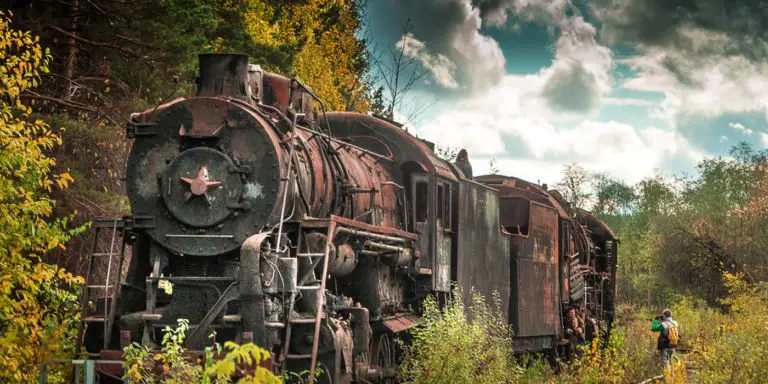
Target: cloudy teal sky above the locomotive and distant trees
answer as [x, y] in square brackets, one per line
[625, 87]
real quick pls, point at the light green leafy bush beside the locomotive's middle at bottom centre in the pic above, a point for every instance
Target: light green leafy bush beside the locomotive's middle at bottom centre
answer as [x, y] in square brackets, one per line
[449, 348]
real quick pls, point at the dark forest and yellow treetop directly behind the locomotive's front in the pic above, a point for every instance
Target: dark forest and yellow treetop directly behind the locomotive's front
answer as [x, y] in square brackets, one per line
[114, 58]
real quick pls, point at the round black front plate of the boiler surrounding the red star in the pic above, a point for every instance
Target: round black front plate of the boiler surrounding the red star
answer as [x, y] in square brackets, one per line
[247, 161]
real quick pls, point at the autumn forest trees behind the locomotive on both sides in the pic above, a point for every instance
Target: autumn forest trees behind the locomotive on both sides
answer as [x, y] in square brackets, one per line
[67, 95]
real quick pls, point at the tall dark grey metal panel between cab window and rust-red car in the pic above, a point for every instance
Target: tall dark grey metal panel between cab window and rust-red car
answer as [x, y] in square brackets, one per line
[483, 251]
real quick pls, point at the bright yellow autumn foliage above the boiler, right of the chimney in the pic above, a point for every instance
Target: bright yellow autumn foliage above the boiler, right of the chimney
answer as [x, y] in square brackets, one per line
[328, 53]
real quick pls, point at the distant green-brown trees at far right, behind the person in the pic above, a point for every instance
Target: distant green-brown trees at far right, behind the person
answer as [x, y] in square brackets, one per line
[680, 234]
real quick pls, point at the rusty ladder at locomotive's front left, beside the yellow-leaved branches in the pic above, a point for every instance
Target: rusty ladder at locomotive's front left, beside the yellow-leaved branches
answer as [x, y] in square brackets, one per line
[105, 290]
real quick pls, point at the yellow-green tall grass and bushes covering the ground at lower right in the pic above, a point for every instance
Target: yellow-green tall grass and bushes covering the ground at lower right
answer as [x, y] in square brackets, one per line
[732, 347]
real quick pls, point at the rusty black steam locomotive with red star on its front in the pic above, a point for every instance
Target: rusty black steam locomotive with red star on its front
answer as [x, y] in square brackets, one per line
[316, 234]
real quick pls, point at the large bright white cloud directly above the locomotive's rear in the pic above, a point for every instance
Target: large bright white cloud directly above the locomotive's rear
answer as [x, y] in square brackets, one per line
[533, 124]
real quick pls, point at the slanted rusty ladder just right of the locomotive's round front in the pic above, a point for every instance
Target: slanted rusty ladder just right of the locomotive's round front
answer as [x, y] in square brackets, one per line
[319, 288]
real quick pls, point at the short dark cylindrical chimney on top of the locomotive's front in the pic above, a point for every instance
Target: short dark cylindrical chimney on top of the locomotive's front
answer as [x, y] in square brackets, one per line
[223, 75]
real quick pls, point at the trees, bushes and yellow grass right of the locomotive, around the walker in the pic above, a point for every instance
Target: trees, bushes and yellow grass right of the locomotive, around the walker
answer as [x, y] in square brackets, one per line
[694, 244]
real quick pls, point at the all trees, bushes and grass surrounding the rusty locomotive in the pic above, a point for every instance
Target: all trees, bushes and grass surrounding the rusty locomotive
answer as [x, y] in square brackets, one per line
[680, 236]
